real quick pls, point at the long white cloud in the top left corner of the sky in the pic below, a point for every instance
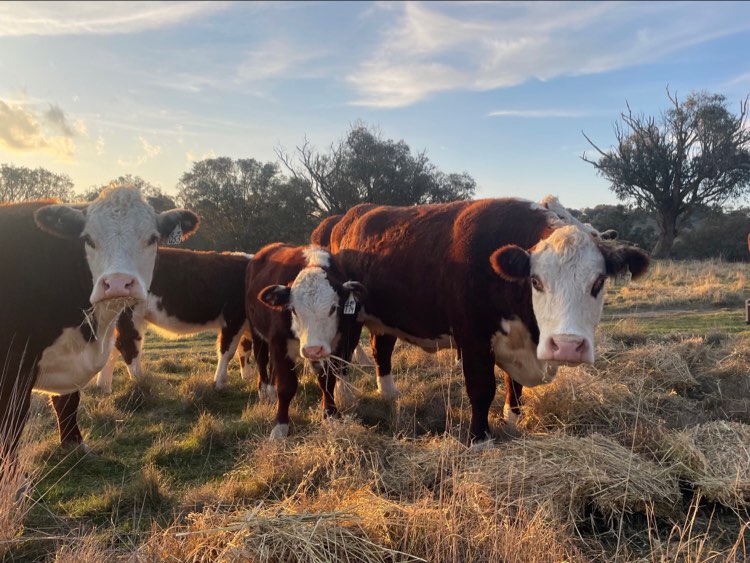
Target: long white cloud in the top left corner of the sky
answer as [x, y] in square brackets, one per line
[96, 18]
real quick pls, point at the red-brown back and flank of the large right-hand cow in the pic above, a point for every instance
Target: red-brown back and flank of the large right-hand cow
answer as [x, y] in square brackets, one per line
[427, 268]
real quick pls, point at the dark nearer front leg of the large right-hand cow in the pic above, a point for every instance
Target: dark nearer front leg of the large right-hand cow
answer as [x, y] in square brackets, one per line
[479, 376]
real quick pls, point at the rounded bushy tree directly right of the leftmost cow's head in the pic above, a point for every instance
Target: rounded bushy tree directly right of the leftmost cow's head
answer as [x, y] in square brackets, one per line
[245, 204]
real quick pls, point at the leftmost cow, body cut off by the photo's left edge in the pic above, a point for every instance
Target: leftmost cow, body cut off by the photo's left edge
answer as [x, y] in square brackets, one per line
[67, 273]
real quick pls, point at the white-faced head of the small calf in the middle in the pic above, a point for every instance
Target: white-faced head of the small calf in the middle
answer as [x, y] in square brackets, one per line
[322, 304]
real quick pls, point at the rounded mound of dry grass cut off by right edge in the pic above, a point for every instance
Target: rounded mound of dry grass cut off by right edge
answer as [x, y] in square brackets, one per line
[714, 458]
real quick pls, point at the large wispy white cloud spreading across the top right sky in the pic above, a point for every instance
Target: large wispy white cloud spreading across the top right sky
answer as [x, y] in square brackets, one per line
[437, 47]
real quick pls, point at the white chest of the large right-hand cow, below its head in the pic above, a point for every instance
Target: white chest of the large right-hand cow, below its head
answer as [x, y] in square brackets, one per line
[515, 353]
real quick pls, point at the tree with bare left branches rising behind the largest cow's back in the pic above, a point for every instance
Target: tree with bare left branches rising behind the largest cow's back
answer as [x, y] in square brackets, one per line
[366, 168]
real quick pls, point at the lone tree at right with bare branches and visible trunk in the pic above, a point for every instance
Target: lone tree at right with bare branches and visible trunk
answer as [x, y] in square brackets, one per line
[696, 154]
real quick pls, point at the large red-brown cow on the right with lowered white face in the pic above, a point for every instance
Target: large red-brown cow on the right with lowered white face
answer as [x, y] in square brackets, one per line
[505, 282]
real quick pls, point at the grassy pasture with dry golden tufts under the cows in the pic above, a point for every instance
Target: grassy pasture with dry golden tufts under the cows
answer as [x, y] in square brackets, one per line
[644, 456]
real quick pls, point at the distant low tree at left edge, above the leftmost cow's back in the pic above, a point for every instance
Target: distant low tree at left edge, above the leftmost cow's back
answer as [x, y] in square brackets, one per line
[18, 183]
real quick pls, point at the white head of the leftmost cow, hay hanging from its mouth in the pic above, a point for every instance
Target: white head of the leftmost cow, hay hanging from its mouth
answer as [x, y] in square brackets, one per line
[120, 232]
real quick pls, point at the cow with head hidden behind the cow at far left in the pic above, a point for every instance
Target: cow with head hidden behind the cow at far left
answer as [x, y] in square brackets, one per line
[191, 292]
